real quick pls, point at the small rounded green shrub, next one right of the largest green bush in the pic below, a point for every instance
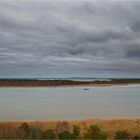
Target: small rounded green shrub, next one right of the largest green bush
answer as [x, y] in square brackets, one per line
[122, 135]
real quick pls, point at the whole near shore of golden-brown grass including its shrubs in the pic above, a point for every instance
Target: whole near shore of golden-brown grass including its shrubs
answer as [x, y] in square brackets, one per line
[87, 129]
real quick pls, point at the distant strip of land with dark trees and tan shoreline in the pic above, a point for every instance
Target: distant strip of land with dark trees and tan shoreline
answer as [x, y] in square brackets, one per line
[63, 82]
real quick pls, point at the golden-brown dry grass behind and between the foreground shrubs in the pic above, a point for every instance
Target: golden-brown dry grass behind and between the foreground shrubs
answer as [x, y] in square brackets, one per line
[108, 126]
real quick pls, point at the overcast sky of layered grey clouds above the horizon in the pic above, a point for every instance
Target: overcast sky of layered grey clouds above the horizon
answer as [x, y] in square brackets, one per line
[43, 38]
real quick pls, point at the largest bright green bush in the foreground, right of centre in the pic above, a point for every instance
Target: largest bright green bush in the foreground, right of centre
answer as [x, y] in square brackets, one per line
[94, 132]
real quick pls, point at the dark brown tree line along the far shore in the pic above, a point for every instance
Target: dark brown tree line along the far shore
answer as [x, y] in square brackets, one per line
[30, 82]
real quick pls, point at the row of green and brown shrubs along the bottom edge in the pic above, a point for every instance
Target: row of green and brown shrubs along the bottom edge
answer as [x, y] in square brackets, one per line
[62, 130]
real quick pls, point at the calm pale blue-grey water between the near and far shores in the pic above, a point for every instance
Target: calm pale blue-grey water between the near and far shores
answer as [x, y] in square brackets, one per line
[34, 104]
